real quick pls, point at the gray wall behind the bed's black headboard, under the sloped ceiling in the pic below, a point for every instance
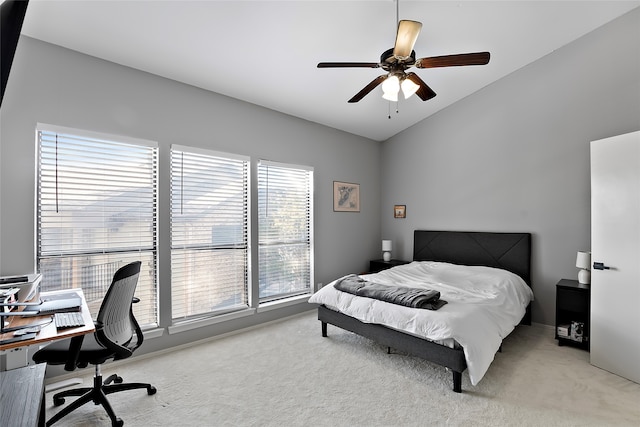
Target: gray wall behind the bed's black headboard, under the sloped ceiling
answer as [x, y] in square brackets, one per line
[515, 155]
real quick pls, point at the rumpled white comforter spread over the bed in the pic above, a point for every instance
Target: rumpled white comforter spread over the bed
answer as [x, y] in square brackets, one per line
[484, 306]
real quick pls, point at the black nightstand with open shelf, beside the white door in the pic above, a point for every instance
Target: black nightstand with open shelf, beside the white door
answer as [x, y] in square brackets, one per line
[573, 310]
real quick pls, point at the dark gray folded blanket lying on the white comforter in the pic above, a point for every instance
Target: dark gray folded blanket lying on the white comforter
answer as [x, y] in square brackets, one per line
[401, 295]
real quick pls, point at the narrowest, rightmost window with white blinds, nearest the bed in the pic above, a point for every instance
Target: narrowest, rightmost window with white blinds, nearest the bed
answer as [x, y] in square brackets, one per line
[285, 230]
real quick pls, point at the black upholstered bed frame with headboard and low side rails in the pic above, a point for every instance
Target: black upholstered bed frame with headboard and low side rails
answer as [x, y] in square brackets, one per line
[509, 251]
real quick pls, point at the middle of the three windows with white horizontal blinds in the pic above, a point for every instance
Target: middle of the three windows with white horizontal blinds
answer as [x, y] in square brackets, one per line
[209, 232]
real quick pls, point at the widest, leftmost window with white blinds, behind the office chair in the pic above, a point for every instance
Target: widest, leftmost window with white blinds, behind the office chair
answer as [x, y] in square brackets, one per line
[96, 212]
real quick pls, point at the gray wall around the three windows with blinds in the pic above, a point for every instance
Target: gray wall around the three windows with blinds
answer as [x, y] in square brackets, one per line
[53, 85]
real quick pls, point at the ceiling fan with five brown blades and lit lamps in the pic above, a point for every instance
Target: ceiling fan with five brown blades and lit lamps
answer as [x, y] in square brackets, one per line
[401, 57]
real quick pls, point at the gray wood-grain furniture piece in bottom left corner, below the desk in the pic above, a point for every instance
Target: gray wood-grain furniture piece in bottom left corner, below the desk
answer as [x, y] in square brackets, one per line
[22, 396]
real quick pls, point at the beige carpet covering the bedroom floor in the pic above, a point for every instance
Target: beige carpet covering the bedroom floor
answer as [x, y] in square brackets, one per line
[286, 374]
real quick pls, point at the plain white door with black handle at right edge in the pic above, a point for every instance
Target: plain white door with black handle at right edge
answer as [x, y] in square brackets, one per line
[615, 243]
